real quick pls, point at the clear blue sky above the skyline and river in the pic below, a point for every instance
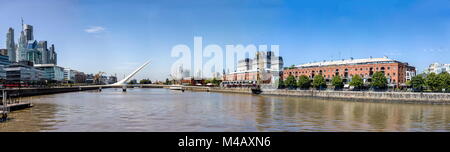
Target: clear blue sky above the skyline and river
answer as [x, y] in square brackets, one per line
[118, 36]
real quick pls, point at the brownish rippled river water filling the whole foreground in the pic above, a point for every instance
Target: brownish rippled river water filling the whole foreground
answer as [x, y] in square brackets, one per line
[167, 110]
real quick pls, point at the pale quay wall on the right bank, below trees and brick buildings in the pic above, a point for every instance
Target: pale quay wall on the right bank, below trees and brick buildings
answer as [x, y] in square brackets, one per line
[400, 97]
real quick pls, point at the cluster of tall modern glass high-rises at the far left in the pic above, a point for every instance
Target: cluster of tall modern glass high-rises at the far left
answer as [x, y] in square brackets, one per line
[26, 54]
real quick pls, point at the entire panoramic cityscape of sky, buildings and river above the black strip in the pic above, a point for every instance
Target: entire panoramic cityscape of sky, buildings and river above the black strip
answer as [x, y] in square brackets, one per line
[222, 72]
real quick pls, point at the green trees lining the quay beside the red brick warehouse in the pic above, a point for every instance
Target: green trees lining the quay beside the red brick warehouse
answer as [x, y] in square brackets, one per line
[431, 82]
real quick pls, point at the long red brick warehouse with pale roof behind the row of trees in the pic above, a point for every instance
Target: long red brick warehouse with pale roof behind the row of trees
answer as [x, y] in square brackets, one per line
[395, 71]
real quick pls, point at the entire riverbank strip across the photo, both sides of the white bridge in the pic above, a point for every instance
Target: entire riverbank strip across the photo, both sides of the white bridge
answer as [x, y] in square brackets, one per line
[400, 97]
